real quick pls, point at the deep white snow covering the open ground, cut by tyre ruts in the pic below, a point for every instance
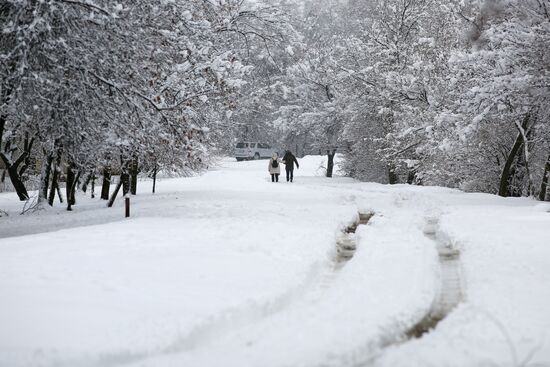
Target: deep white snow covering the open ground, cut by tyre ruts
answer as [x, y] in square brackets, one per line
[228, 269]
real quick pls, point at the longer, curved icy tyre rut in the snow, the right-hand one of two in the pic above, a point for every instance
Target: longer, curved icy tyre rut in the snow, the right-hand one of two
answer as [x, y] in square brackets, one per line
[450, 292]
